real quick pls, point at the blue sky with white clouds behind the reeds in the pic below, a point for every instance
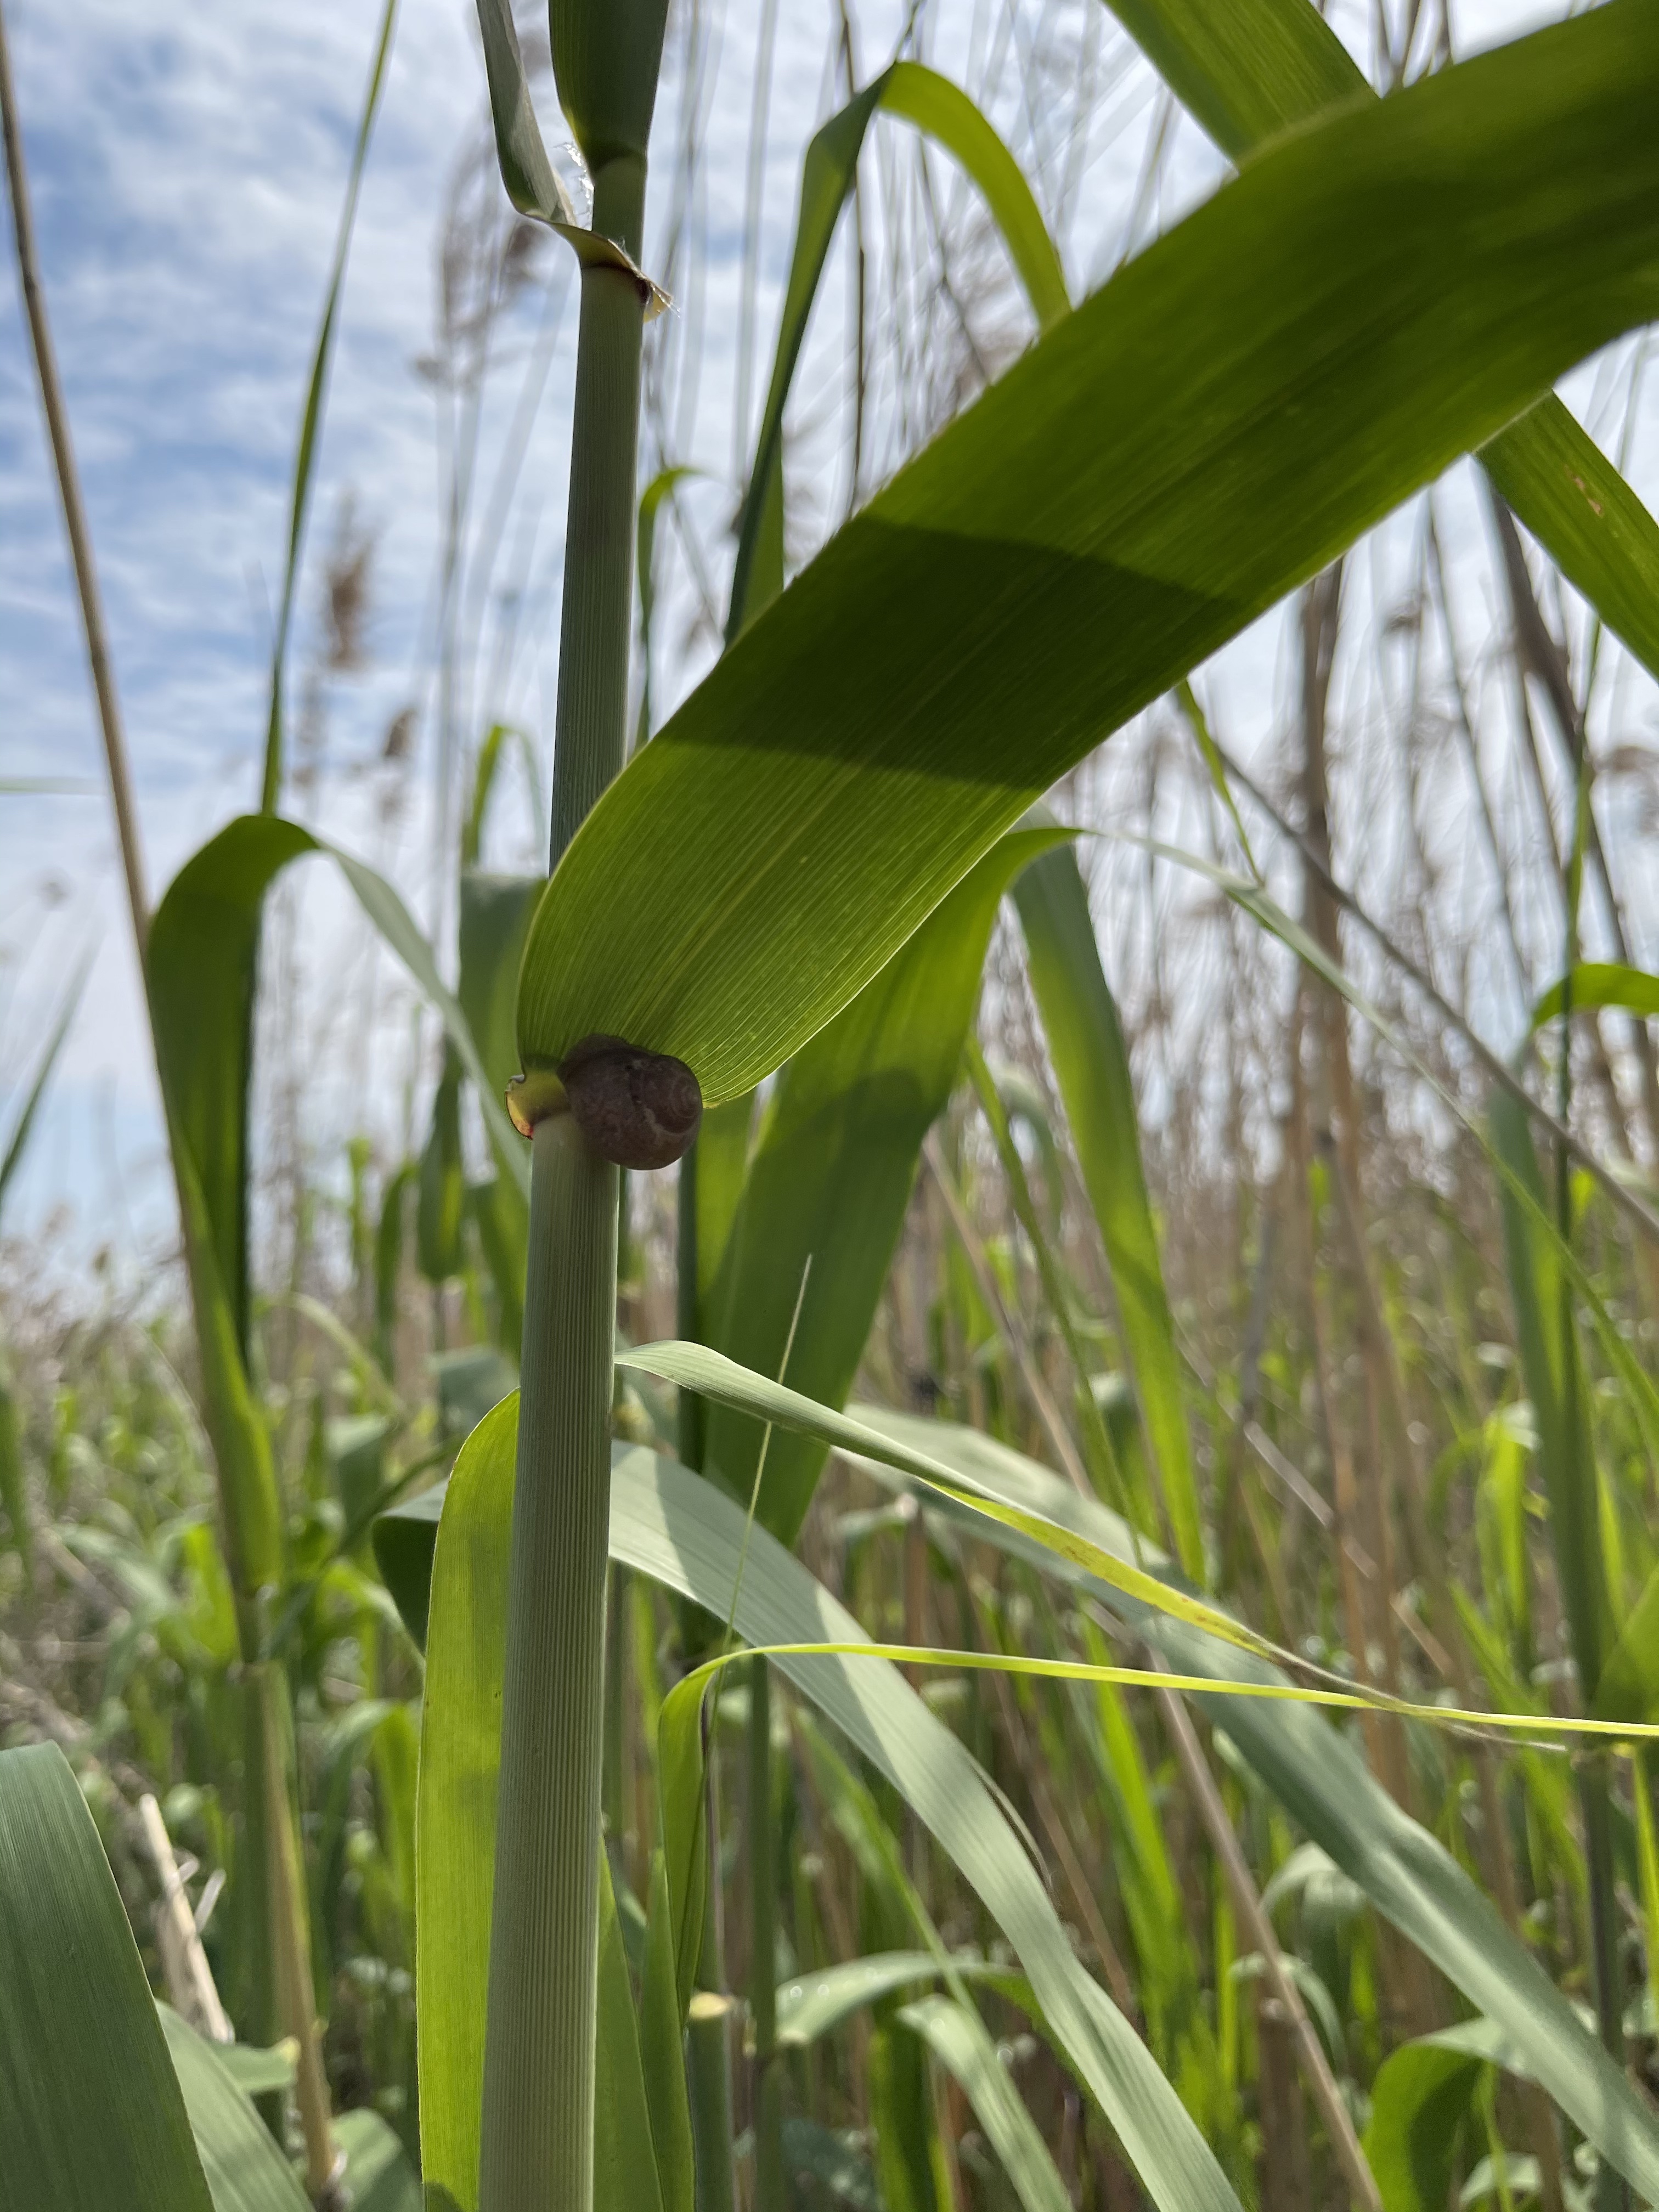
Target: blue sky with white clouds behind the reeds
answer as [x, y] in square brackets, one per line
[187, 174]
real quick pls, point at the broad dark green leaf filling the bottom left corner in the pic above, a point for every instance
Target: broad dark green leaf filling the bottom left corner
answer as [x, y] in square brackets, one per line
[90, 2107]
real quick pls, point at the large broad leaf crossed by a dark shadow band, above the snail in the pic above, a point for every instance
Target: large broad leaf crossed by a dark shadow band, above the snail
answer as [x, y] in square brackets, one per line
[1326, 335]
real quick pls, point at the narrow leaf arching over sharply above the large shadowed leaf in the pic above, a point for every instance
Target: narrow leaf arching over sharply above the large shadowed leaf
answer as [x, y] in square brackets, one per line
[946, 114]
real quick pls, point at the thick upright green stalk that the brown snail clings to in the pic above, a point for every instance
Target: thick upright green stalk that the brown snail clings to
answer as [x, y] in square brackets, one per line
[539, 2060]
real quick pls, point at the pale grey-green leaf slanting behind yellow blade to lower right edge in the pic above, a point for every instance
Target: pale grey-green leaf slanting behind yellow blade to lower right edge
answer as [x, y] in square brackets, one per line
[1326, 1788]
